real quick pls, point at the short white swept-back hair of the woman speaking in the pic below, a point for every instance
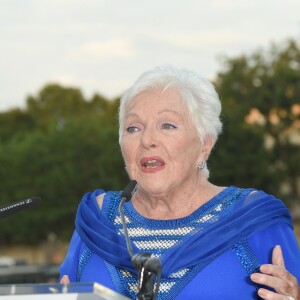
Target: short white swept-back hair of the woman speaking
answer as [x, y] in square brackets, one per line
[197, 93]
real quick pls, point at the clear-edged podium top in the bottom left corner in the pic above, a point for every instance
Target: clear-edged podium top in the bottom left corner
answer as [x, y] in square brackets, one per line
[71, 291]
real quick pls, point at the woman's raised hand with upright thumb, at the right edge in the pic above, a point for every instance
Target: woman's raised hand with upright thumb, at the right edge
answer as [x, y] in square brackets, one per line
[277, 277]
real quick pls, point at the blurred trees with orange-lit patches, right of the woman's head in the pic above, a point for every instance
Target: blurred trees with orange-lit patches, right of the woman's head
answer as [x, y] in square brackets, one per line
[261, 110]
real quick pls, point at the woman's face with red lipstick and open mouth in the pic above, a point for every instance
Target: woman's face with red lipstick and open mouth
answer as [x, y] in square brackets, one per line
[160, 144]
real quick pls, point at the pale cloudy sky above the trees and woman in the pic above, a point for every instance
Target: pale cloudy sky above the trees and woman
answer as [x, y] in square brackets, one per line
[102, 46]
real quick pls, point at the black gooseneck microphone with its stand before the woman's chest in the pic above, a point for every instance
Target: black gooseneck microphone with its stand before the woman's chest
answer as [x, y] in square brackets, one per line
[146, 264]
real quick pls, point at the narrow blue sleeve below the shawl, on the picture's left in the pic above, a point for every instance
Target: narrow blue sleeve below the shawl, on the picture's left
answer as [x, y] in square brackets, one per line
[70, 264]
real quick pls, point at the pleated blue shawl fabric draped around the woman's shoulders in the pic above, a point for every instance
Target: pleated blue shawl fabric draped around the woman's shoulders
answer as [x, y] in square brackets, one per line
[252, 212]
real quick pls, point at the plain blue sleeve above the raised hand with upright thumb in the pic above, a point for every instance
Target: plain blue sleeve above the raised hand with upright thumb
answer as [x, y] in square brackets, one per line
[264, 242]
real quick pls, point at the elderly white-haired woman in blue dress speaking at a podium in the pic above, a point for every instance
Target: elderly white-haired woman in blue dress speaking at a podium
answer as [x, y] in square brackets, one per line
[214, 242]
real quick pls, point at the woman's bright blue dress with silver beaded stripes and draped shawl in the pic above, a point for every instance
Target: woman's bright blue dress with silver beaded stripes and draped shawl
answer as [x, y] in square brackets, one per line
[206, 255]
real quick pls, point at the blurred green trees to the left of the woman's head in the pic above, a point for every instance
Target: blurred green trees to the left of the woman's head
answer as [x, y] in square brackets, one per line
[73, 148]
